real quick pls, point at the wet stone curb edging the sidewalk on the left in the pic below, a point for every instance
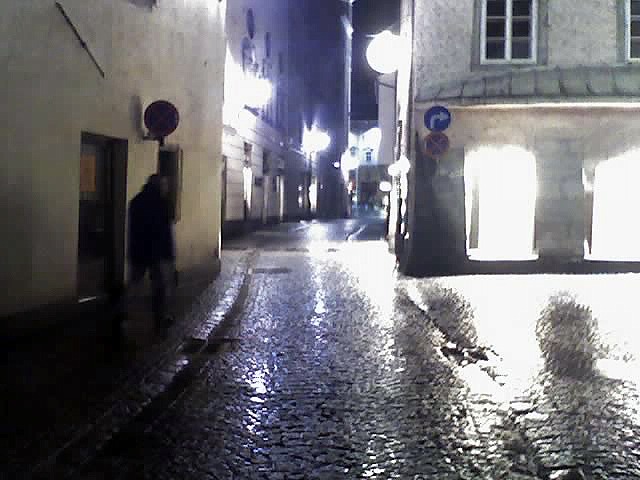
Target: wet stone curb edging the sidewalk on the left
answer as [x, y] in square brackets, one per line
[135, 396]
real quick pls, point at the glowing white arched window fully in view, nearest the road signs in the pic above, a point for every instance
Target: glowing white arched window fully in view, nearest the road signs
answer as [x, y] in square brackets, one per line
[507, 186]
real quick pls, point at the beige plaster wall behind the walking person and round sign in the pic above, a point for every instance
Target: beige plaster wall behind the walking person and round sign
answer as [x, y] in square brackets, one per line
[53, 92]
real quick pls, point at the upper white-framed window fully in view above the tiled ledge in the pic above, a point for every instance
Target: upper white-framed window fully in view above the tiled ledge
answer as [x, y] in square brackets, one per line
[509, 31]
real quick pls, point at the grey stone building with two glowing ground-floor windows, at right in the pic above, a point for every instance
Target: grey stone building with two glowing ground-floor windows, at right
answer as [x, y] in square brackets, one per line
[545, 138]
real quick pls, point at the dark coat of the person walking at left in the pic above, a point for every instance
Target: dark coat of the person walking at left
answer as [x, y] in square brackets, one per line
[150, 229]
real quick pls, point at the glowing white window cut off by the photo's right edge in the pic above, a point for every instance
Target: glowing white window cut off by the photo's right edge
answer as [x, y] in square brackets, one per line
[616, 201]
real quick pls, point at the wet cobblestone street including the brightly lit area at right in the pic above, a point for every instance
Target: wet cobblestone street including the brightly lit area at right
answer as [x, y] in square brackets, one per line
[339, 368]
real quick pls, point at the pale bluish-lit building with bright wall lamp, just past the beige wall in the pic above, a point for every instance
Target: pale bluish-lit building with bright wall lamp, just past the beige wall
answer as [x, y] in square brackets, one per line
[264, 169]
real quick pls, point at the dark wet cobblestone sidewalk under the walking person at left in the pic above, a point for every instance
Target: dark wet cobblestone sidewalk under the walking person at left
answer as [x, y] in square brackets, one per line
[79, 388]
